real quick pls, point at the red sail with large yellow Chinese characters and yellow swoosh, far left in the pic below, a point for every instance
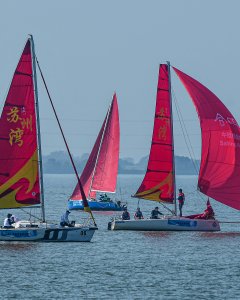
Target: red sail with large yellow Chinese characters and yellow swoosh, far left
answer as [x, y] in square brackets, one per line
[19, 180]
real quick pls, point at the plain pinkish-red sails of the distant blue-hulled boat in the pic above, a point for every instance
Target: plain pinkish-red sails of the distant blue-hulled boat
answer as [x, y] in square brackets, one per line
[100, 172]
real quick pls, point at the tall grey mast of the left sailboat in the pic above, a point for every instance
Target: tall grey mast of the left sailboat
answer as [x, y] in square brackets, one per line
[38, 127]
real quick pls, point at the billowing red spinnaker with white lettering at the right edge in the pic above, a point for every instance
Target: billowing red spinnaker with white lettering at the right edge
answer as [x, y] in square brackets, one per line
[220, 162]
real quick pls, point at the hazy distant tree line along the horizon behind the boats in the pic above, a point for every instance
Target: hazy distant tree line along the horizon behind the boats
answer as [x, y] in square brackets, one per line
[58, 163]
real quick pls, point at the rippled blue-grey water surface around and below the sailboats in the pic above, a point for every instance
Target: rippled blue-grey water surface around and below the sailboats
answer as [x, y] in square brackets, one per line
[125, 265]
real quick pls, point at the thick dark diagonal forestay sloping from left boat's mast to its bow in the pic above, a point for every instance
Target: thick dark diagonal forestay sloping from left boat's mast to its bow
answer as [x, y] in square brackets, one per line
[65, 141]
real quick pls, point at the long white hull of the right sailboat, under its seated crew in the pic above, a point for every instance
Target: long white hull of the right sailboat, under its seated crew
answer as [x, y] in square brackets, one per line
[166, 224]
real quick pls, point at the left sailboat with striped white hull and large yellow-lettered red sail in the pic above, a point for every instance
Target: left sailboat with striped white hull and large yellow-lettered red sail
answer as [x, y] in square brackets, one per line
[21, 175]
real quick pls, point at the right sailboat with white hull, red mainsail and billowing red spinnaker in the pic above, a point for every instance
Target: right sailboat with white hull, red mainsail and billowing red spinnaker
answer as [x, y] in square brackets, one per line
[220, 157]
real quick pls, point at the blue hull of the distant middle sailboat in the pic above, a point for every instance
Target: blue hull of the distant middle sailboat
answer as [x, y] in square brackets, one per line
[94, 205]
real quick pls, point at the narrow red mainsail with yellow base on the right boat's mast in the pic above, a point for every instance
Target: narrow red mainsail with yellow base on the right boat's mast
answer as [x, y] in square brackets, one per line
[158, 183]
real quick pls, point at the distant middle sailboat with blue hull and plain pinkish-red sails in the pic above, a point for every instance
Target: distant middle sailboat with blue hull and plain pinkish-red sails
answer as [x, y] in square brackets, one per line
[101, 169]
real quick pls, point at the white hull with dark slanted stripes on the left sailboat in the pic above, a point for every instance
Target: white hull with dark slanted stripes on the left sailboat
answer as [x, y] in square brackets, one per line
[46, 233]
